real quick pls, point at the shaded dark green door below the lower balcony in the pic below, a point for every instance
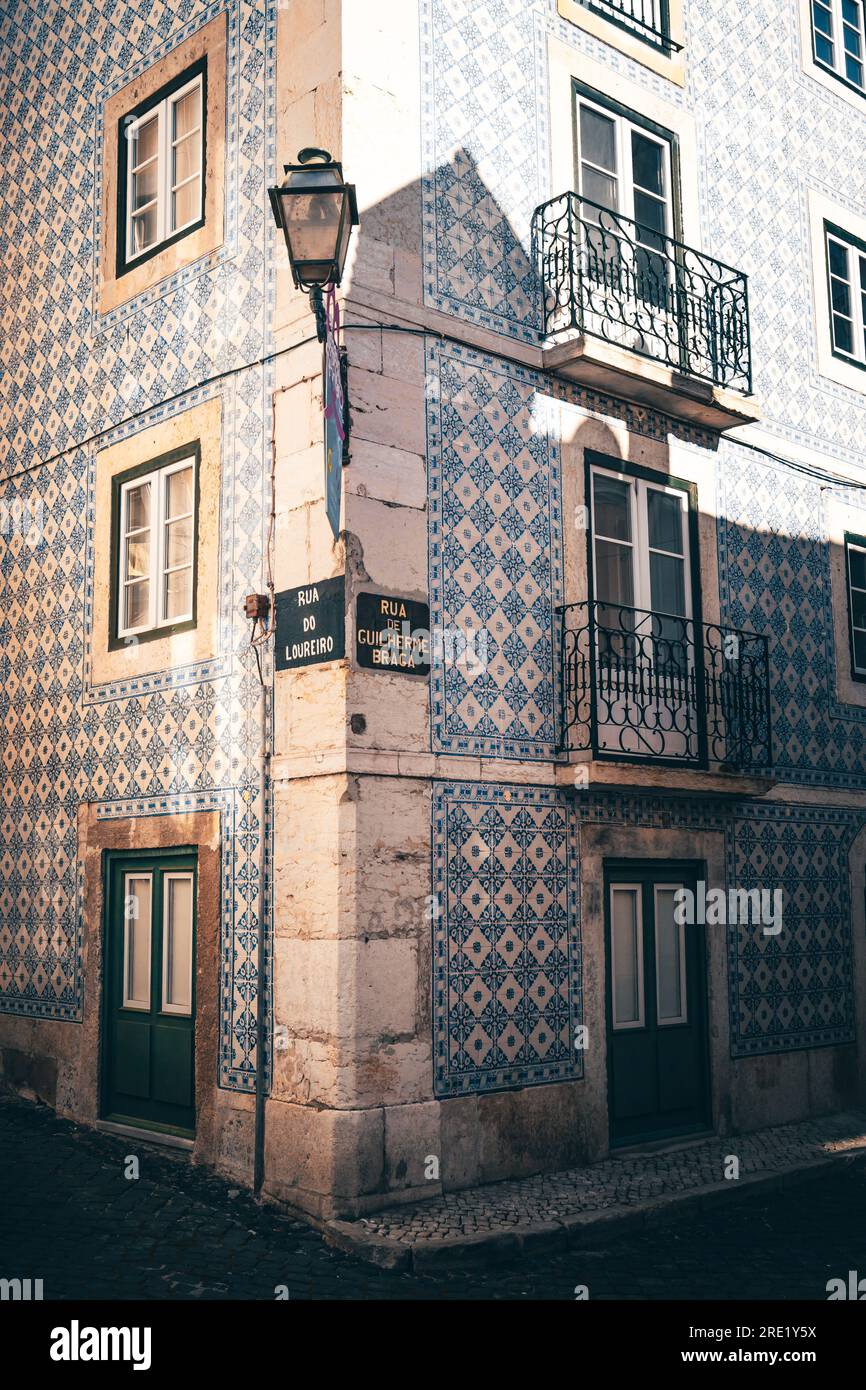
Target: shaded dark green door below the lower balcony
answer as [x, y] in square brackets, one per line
[658, 1075]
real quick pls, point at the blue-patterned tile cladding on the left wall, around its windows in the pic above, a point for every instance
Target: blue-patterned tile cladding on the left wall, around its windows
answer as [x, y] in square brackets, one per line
[76, 382]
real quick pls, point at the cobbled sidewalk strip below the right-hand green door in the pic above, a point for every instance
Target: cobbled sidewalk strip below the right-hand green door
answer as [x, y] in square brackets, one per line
[616, 1182]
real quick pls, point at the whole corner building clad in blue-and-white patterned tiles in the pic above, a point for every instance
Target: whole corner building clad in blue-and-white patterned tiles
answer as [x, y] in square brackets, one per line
[605, 333]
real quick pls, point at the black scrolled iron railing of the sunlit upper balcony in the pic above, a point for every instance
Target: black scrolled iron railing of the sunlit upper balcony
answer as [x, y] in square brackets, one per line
[611, 277]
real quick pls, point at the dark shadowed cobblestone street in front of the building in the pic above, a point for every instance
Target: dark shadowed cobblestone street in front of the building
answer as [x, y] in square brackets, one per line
[70, 1217]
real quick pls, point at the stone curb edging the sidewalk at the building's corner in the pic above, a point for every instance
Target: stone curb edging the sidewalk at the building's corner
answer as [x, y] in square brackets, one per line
[583, 1231]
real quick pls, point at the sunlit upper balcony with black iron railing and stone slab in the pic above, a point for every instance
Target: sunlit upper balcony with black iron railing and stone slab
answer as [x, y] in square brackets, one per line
[639, 315]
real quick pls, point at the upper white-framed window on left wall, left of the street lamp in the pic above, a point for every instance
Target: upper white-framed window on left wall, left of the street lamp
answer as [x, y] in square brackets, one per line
[162, 177]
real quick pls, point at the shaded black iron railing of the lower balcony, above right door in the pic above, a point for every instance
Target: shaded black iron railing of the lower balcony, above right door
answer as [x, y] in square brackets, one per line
[642, 686]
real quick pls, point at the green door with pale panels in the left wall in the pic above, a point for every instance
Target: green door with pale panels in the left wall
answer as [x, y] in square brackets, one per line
[149, 1020]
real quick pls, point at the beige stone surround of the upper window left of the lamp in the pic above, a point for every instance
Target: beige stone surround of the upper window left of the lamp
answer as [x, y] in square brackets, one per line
[208, 44]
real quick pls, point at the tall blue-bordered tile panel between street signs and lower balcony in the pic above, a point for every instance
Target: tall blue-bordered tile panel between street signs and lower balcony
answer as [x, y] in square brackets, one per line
[494, 557]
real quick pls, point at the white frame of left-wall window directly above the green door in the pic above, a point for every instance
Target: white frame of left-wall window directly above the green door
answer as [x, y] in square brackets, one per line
[158, 572]
